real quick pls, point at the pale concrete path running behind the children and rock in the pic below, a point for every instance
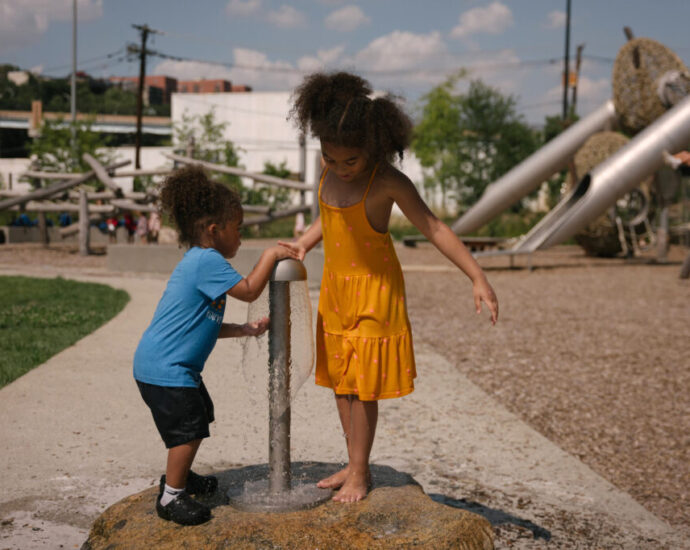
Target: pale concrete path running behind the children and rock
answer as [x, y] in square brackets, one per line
[77, 438]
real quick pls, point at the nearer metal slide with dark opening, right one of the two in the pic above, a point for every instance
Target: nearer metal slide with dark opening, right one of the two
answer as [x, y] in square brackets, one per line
[607, 182]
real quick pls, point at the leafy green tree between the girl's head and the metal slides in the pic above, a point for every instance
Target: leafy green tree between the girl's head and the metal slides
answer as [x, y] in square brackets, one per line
[469, 140]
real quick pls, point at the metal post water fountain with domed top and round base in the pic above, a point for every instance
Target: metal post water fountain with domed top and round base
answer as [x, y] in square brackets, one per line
[278, 493]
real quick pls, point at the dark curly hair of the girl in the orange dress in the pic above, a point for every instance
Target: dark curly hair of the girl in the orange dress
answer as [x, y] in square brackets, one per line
[336, 108]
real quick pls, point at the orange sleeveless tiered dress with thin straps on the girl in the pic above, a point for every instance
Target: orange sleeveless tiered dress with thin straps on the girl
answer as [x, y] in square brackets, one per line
[363, 336]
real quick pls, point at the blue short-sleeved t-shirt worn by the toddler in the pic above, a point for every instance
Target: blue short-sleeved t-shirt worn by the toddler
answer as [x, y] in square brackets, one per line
[185, 326]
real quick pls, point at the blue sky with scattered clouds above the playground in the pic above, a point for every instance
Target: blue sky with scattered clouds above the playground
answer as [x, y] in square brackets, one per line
[405, 47]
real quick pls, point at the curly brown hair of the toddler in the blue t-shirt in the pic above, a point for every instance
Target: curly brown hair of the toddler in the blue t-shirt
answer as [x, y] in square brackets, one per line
[193, 201]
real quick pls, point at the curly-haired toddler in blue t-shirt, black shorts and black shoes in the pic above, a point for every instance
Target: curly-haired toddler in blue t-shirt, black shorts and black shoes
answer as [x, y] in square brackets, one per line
[187, 322]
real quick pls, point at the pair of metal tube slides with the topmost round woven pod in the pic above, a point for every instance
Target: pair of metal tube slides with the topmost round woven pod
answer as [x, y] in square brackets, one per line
[651, 88]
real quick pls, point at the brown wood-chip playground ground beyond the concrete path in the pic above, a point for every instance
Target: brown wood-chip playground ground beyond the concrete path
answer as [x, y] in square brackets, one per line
[592, 353]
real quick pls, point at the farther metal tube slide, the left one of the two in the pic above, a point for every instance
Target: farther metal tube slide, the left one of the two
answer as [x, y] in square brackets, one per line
[532, 171]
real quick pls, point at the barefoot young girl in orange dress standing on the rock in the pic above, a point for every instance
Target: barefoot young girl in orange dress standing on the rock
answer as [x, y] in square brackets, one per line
[364, 342]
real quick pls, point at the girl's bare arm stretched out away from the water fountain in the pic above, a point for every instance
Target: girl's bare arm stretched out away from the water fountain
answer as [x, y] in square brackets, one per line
[405, 195]
